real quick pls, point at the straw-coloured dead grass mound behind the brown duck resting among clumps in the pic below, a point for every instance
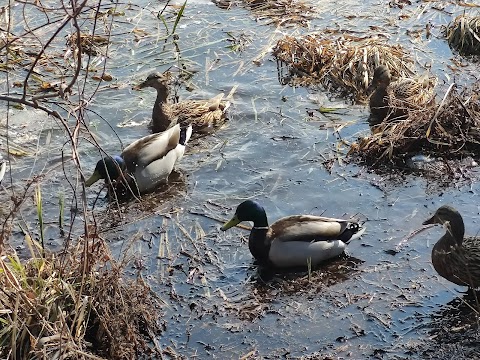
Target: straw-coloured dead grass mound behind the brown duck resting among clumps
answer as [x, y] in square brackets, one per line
[344, 64]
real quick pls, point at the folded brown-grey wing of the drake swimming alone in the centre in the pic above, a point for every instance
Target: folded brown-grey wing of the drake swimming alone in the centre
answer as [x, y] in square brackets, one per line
[310, 228]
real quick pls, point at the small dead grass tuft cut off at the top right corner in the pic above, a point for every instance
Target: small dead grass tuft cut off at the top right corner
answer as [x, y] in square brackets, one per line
[463, 34]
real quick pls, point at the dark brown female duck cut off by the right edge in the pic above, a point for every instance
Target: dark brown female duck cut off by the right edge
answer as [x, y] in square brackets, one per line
[455, 257]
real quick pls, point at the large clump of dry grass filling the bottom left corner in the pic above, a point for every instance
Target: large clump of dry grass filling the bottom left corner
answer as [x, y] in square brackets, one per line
[74, 306]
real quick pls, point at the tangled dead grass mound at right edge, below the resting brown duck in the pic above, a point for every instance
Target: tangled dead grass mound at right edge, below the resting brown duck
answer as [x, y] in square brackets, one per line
[450, 130]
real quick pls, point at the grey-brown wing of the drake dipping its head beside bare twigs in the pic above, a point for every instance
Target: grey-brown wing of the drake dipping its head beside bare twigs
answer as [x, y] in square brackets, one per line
[151, 148]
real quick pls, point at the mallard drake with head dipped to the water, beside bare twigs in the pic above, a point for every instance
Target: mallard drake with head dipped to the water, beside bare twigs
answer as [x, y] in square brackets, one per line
[146, 162]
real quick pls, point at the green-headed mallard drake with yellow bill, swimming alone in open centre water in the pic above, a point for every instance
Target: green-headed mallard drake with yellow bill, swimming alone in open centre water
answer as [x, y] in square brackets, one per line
[294, 240]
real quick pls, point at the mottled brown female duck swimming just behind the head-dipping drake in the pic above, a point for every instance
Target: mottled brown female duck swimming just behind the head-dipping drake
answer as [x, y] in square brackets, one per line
[203, 115]
